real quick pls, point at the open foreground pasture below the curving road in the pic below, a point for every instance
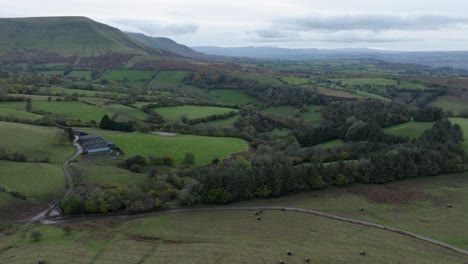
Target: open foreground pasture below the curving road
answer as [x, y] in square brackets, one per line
[220, 237]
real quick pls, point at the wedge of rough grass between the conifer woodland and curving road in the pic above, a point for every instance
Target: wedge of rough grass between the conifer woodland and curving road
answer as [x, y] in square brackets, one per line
[417, 205]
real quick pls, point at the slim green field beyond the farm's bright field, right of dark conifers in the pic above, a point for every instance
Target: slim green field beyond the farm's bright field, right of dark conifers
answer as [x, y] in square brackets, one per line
[192, 112]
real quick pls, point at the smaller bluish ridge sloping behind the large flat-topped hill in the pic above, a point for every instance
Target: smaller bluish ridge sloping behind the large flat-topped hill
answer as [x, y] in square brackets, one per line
[167, 44]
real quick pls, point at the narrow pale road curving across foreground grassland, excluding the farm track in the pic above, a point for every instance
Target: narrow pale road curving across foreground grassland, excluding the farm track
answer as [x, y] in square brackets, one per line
[72, 219]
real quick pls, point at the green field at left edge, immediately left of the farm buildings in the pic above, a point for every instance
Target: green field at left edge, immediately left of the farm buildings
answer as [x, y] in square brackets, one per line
[34, 141]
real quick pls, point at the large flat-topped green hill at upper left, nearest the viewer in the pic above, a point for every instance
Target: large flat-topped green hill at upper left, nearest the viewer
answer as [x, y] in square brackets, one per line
[65, 37]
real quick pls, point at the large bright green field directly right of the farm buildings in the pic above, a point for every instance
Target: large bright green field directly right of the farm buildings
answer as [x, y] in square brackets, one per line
[205, 149]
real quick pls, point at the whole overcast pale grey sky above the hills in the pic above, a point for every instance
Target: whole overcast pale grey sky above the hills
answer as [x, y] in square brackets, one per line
[391, 25]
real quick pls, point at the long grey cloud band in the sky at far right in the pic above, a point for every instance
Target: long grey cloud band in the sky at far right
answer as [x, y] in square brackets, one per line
[367, 21]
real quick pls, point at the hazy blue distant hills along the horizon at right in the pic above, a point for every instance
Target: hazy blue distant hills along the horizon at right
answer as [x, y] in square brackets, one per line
[453, 59]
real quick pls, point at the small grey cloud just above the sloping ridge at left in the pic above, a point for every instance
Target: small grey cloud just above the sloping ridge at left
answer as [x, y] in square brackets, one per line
[156, 28]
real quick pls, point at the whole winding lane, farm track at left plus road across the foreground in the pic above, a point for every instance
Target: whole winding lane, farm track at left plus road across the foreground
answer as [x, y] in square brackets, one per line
[43, 216]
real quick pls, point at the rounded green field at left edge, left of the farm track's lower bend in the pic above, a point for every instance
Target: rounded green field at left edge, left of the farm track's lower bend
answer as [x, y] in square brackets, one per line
[38, 181]
